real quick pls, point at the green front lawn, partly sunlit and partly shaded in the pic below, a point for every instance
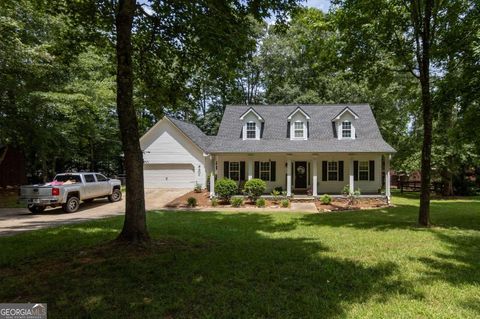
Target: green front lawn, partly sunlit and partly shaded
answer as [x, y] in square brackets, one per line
[375, 264]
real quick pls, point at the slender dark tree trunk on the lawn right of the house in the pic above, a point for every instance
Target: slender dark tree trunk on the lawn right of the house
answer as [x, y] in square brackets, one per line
[424, 63]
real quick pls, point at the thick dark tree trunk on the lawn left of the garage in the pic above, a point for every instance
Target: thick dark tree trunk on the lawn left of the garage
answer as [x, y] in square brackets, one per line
[135, 226]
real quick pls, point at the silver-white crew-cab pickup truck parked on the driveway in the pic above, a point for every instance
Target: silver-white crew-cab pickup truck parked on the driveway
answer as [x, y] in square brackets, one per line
[68, 190]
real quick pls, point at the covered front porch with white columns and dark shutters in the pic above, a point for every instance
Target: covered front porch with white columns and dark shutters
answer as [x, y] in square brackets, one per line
[307, 174]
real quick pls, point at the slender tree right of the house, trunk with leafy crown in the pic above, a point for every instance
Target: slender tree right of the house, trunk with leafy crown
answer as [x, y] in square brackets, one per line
[412, 35]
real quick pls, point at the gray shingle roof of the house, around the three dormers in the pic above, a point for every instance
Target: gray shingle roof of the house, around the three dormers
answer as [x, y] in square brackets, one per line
[321, 138]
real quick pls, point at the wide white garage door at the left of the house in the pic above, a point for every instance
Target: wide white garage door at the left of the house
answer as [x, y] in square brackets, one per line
[169, 176]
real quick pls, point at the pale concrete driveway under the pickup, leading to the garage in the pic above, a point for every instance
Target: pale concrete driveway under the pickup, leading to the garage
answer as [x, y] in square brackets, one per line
[15, 220]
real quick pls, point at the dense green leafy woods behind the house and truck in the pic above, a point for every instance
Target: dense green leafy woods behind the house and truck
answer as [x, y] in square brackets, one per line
[57, 92]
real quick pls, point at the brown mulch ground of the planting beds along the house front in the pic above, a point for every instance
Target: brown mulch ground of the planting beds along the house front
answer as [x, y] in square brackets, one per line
[337, 204]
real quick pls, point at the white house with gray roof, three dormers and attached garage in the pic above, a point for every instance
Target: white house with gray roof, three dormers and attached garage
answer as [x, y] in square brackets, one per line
[320, 148]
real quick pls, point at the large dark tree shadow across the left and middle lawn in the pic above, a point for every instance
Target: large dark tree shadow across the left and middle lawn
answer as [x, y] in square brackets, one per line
[203, 265]
